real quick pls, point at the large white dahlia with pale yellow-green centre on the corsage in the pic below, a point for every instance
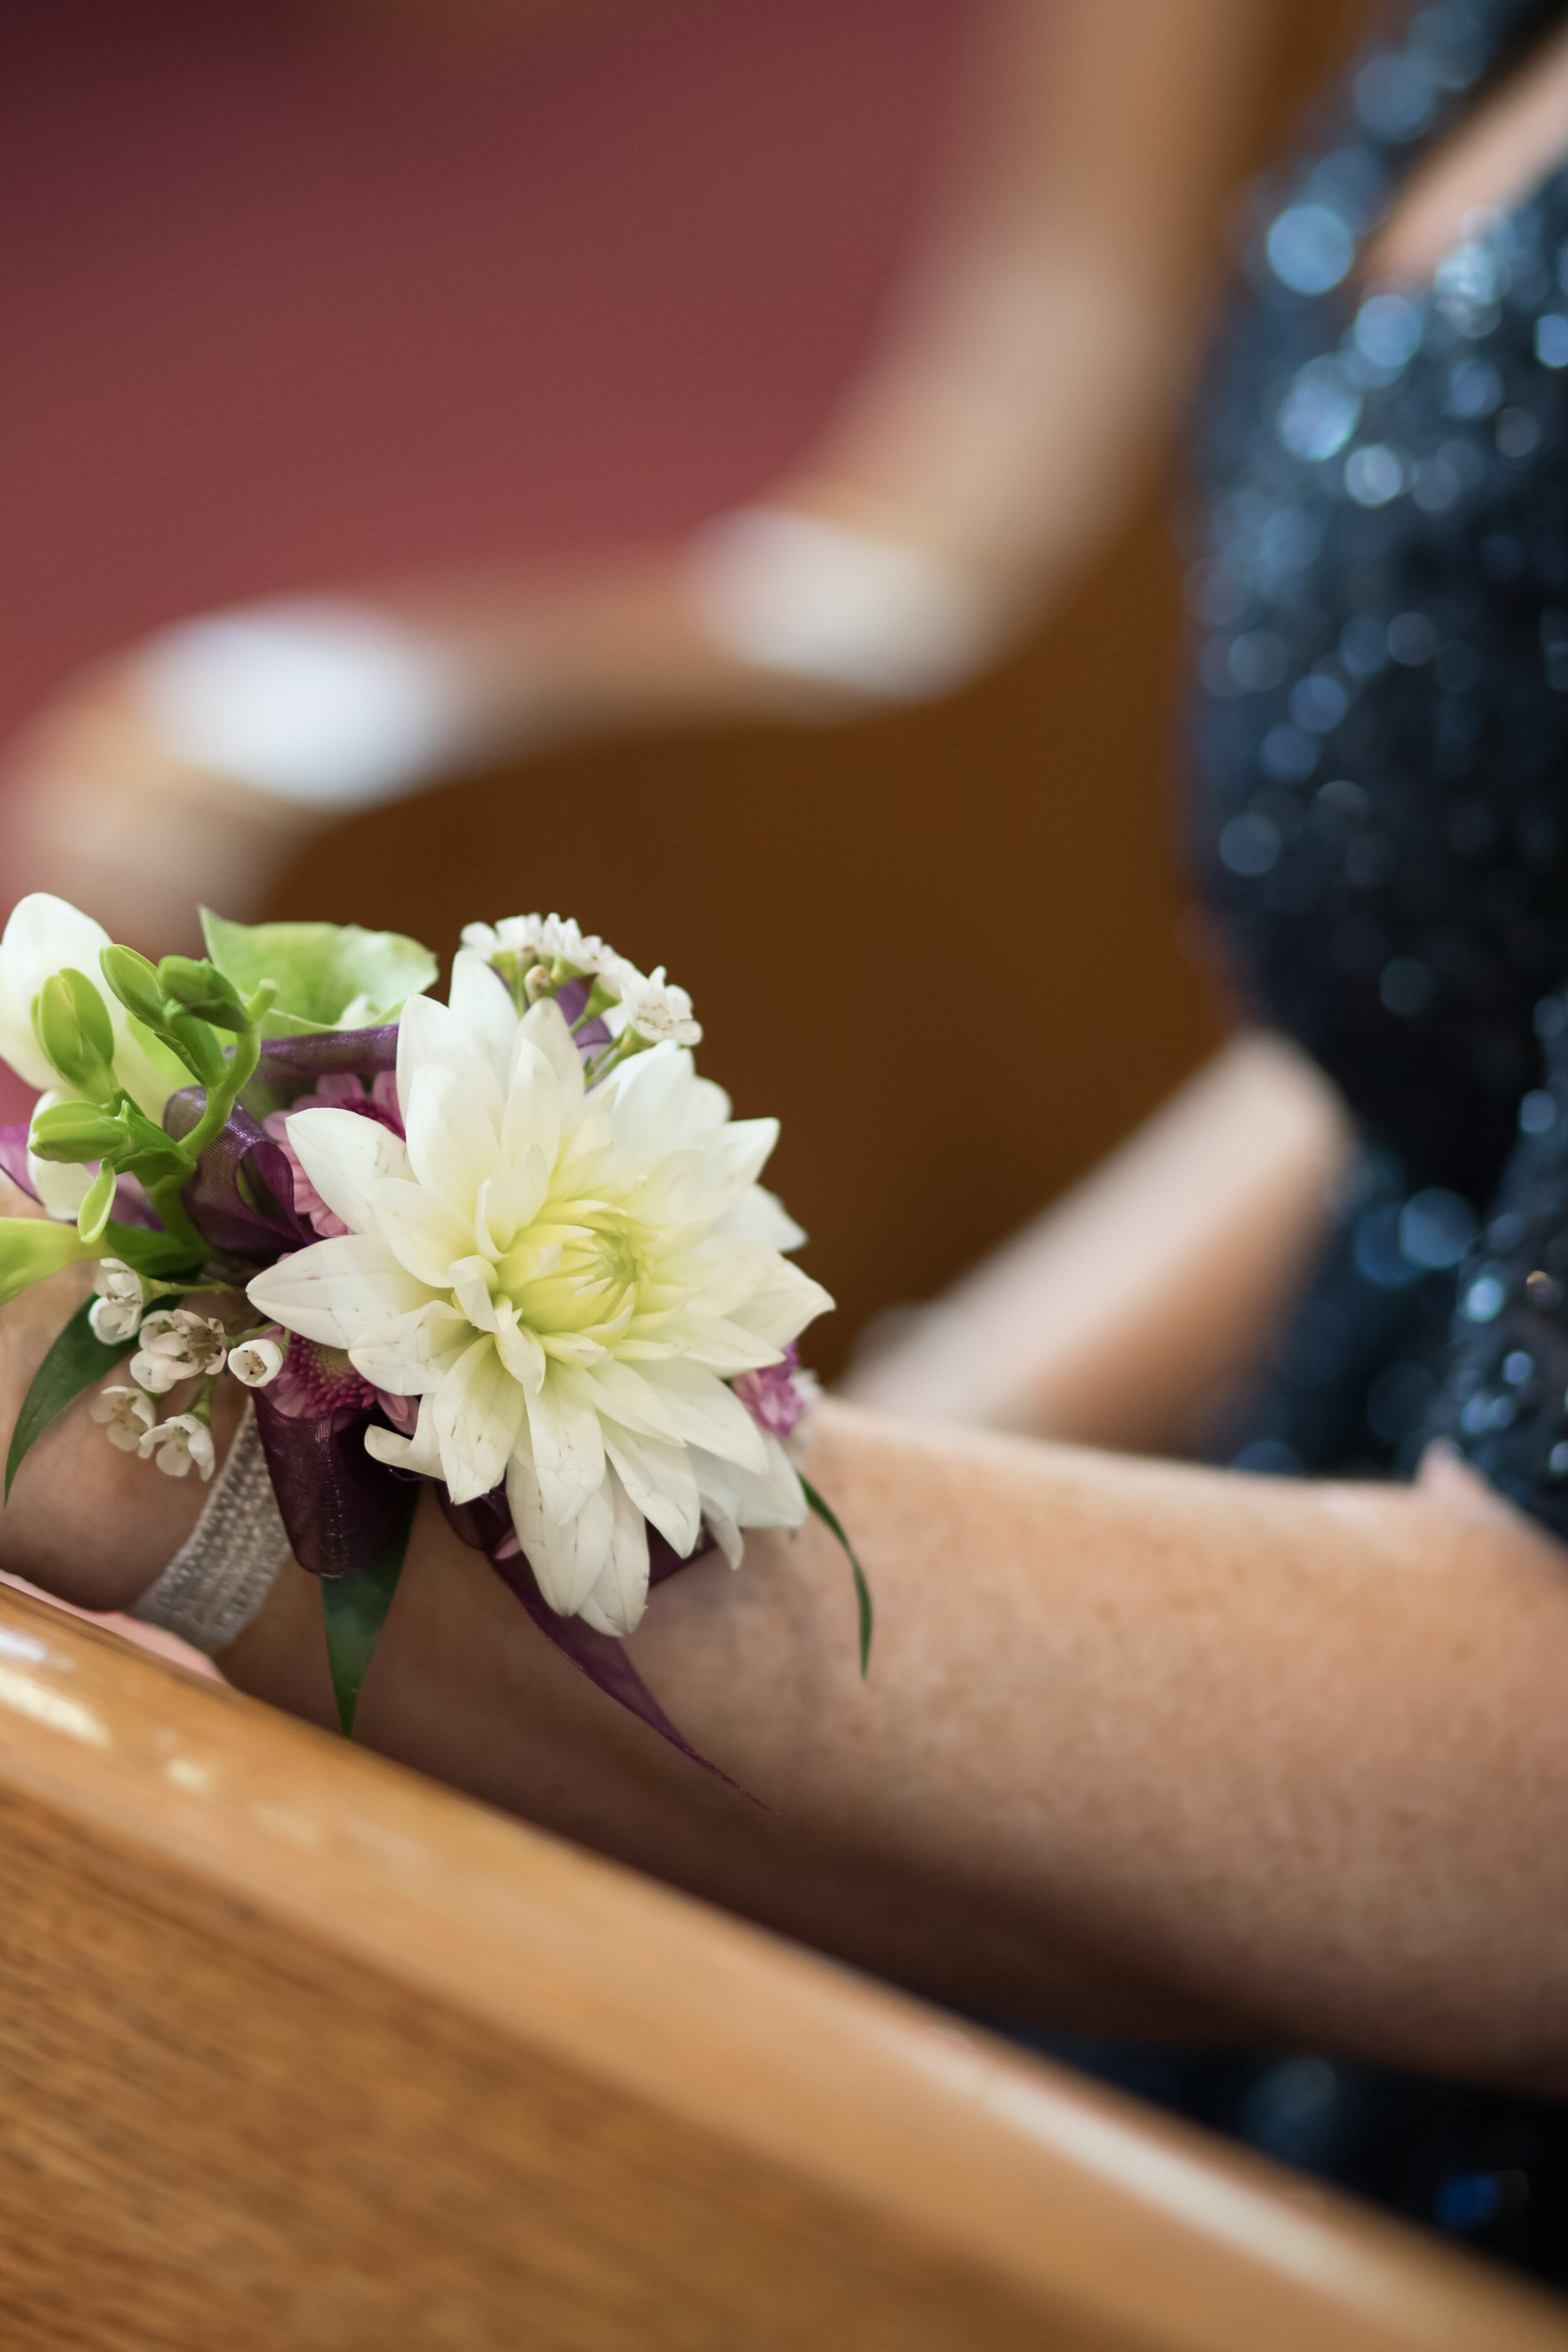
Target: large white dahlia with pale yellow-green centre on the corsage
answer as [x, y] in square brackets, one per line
[565, 1281]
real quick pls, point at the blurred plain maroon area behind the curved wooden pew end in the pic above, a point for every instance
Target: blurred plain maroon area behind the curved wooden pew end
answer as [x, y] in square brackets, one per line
[300, 293]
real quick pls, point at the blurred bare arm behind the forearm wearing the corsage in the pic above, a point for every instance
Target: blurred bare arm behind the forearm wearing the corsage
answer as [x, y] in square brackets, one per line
[1153, 1285]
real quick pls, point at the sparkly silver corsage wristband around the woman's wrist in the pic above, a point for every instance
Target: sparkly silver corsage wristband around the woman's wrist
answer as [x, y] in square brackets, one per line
[229, 1563]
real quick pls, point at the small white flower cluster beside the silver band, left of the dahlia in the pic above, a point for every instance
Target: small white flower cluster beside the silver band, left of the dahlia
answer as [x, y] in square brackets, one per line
[175, 1347]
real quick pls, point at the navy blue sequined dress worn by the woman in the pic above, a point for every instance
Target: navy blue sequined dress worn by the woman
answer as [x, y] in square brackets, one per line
[1381, 834]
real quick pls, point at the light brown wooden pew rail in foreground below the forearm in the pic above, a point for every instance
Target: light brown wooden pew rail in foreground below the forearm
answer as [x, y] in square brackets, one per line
[304, 2052]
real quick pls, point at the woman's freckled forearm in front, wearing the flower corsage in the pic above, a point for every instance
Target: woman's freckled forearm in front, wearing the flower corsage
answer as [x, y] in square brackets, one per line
[1141, 1746]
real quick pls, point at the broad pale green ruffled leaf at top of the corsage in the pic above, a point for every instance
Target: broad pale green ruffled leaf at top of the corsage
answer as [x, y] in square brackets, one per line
[328, 975]
